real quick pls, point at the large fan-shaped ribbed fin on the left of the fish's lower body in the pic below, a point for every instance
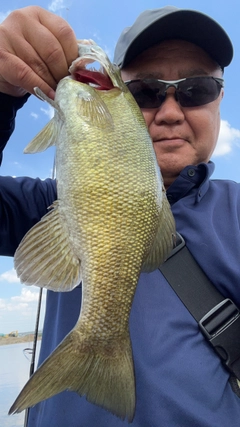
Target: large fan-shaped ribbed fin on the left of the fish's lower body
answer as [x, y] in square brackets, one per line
[45, 258]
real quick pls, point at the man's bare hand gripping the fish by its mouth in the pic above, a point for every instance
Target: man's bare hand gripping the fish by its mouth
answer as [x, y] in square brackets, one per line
[36, 49]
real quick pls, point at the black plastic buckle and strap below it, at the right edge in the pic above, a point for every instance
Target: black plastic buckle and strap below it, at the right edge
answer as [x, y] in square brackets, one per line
[221, 327]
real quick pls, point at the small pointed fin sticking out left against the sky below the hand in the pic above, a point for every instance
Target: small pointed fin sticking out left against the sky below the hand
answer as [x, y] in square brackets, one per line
[45, 138]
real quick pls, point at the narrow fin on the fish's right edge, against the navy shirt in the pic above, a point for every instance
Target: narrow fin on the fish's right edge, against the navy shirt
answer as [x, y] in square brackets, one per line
[164, 239]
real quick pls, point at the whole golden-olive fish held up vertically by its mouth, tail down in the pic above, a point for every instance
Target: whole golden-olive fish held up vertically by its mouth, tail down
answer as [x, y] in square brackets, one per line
[110, 222]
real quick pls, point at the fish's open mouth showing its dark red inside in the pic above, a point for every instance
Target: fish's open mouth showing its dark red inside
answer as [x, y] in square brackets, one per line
[97, 79]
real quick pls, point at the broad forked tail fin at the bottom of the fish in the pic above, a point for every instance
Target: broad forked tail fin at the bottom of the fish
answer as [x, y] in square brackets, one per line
[103, 375]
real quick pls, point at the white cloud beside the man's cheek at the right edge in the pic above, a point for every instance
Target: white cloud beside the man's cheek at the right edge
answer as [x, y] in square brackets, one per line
[228, 136]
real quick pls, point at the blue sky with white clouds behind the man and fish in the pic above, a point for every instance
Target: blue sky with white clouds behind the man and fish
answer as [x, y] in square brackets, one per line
[103, 21]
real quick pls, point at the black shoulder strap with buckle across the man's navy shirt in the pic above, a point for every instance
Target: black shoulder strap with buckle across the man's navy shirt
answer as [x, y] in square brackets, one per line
[217, 316]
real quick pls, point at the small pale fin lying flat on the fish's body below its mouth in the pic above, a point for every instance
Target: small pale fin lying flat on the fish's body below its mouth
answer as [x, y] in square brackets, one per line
[93, 109]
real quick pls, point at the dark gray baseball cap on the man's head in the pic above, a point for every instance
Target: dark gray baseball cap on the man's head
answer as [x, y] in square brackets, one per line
[170, 22]
